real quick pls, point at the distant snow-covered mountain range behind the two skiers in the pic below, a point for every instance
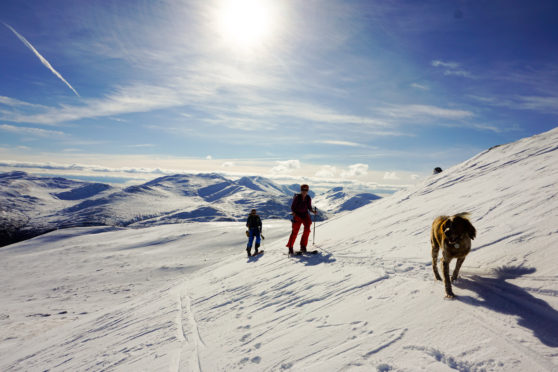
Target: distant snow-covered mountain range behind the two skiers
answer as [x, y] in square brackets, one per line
[32, 205]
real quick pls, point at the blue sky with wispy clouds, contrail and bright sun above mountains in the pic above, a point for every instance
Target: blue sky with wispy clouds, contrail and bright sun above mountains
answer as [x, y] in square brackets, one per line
[375, 92]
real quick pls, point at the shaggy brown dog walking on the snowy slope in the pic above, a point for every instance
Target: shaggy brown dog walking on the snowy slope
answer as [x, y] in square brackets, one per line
[453, 234]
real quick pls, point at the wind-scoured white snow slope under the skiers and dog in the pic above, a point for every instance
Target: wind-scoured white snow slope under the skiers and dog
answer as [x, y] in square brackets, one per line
[368, 301]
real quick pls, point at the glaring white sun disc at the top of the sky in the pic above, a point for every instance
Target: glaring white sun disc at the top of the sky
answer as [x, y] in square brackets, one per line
[245, 23]
